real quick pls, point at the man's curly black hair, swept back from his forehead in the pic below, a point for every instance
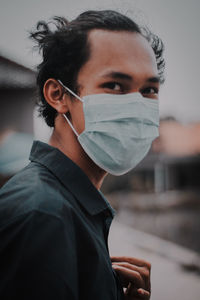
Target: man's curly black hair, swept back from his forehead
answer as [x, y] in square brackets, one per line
[66, 48]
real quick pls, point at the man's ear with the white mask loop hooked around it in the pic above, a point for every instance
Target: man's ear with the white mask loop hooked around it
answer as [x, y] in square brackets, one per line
[55, 95]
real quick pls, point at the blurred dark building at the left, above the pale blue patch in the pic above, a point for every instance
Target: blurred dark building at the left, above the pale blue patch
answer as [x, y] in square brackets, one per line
[17, 90]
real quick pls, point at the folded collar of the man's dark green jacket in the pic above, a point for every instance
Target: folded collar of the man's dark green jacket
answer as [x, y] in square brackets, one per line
[71, 176]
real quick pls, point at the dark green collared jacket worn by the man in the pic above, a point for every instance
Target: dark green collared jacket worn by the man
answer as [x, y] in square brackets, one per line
[54, 227]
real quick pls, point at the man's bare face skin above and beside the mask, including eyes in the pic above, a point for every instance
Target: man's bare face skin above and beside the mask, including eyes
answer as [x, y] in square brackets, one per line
[120, 62]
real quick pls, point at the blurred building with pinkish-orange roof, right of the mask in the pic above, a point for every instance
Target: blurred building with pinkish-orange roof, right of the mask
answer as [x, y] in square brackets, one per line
[177, 165]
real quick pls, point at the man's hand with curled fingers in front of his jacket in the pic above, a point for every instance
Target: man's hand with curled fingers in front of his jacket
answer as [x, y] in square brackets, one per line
[134, 275]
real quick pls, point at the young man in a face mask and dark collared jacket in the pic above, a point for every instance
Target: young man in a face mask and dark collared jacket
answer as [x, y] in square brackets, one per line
[99, 82]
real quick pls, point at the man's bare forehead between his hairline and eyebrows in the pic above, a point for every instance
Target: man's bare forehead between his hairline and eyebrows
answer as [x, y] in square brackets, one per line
[120, 51]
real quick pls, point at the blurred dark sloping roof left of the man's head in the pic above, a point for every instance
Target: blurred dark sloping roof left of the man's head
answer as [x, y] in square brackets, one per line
[15, 76]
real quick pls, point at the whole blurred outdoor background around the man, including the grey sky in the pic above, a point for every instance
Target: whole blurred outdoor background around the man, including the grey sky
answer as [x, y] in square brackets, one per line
[158, 203]
